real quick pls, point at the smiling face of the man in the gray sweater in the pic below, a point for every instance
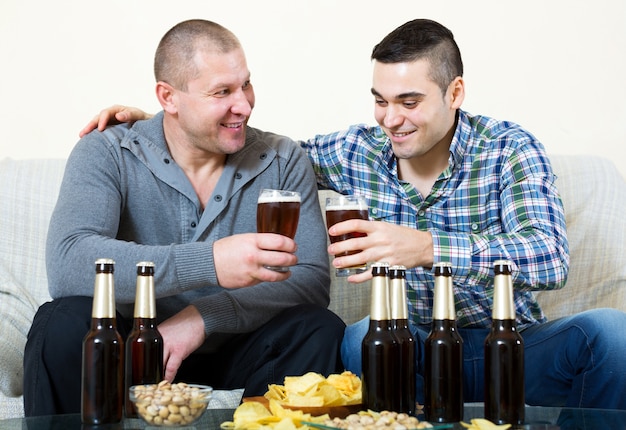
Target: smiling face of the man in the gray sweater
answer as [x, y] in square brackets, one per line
[211, 114]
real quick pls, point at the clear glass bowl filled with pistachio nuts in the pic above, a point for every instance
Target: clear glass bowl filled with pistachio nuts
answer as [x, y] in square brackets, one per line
[170, 404]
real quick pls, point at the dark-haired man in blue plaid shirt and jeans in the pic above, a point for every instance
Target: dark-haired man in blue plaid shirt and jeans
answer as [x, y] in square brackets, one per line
[445, 185]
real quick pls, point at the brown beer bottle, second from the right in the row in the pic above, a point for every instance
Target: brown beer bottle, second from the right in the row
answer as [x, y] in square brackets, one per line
[443, 376]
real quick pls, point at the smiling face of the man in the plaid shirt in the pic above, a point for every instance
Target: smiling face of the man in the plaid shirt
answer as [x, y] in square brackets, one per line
[411, 109]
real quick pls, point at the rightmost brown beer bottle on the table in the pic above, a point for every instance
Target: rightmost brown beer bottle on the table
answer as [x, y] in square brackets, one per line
[504, 354]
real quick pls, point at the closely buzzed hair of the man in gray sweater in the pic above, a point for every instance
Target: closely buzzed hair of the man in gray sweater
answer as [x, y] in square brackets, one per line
[174, 59]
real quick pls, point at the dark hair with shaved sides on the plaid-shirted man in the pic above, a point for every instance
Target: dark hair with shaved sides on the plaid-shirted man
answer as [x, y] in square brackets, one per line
[423, 39]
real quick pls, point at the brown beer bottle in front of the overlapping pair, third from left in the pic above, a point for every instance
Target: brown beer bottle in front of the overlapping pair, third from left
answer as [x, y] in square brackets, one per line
[379, 350]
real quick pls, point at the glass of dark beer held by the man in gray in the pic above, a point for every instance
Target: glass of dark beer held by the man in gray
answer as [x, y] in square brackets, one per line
[278, 211]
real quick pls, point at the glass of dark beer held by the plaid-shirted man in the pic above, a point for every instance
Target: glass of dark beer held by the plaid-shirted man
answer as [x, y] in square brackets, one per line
[342, 208]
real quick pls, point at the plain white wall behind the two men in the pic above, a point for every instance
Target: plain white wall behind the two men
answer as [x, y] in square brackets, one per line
[556, 67]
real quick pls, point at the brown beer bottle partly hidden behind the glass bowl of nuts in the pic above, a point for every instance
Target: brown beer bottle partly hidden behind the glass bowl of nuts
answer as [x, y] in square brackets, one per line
[144, 346]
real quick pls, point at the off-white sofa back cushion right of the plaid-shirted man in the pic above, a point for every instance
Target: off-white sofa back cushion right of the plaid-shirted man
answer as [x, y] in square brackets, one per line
[594, 197]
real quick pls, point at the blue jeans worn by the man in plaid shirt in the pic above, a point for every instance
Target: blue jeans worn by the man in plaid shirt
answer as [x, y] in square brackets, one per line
[576, 361]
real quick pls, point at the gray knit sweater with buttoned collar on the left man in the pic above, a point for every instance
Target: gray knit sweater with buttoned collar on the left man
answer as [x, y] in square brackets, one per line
[123, 197]
